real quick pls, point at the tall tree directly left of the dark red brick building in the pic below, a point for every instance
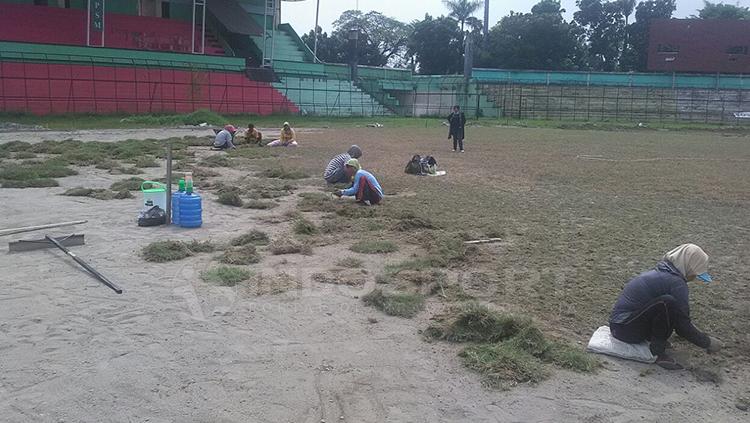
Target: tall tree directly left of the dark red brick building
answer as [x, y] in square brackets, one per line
[635, 57]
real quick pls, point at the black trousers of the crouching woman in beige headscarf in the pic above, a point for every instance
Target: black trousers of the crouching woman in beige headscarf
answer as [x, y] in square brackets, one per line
[656, 322]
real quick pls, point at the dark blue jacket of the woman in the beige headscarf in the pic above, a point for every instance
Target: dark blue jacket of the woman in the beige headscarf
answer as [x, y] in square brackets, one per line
[664, 279]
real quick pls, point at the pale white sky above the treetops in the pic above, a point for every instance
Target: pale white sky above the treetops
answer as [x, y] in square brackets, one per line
[301, 14]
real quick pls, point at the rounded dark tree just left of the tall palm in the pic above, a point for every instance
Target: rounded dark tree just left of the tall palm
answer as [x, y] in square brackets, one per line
[436, 45]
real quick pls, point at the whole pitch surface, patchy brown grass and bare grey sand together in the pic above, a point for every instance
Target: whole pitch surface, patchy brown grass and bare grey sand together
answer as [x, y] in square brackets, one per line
[578, 212]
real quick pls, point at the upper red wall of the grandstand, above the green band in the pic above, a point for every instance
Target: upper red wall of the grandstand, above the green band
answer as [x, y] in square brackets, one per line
[53, 25]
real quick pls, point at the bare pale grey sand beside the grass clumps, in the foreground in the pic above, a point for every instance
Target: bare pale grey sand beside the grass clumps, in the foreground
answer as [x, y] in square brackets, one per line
[172, 348]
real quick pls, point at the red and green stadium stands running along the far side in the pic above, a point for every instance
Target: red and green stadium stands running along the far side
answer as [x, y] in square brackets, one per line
[239, 57]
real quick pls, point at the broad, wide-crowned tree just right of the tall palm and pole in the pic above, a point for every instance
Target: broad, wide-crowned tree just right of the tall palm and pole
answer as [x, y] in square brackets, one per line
[540, 40]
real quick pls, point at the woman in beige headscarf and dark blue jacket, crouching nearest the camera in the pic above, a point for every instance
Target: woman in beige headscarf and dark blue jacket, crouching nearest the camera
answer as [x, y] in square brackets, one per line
[655, 303]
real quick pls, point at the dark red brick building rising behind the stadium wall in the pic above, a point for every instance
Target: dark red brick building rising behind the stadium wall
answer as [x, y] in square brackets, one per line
[699, 46]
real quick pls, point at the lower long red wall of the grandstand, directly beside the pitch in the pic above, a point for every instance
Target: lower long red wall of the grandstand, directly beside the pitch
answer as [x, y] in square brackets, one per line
[42, 88]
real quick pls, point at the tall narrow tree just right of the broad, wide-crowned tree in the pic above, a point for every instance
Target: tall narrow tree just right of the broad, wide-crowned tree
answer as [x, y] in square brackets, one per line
[604, 26]
